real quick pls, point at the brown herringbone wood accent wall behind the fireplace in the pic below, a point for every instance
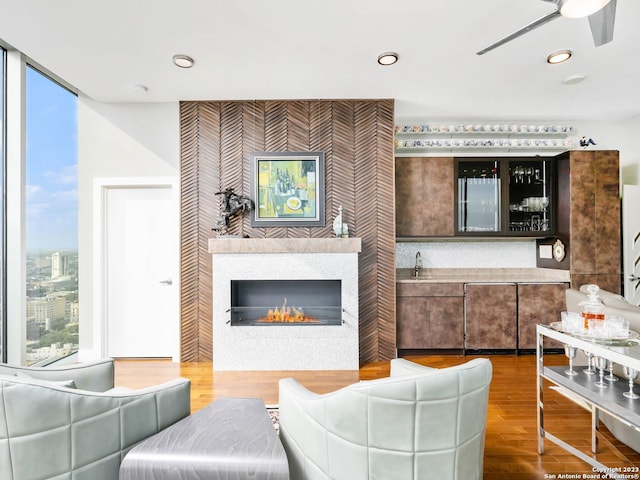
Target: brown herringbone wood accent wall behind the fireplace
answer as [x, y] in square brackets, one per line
[356, 136]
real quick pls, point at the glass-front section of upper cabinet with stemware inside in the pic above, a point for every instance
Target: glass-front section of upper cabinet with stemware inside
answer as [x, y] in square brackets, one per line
[504, 197]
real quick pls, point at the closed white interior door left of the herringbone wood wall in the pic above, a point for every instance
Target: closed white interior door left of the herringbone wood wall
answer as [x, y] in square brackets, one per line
[141, 262]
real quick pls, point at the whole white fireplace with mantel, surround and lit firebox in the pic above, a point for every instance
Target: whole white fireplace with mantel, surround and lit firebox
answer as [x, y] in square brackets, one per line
[285, 303]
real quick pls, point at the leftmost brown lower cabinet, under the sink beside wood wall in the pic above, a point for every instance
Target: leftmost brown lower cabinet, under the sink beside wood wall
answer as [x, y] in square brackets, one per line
[430, 316]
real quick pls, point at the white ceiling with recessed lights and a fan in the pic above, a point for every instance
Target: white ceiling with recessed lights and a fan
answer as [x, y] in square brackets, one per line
[293, 49]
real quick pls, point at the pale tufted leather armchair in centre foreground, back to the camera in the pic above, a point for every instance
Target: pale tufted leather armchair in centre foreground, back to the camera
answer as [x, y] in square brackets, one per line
[420, 423]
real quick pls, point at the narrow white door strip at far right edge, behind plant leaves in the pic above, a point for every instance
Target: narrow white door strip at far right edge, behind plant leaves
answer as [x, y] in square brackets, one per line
[631, 242]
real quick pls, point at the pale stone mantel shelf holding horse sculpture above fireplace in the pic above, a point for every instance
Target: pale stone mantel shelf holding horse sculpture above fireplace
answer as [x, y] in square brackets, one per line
[285, 245]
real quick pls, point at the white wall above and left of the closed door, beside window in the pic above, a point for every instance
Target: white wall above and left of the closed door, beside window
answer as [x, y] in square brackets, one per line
[117, 140]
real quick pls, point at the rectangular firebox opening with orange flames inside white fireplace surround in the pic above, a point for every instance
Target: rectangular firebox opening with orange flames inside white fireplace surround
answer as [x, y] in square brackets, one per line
[286, 302]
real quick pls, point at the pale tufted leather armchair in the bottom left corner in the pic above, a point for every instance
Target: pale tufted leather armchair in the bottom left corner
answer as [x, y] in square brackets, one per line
[68, 422]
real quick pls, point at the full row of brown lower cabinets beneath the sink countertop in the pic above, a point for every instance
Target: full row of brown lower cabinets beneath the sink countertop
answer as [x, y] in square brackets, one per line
[476, 316]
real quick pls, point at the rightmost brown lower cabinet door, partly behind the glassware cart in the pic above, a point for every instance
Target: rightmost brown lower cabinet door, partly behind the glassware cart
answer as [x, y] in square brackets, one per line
[538, 303]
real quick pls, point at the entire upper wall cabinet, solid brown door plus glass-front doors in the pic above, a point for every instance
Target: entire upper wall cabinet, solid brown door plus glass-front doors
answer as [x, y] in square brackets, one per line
[447, 196]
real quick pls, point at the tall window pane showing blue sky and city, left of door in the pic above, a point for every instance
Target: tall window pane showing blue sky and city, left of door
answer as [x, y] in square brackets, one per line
[51, 219]
